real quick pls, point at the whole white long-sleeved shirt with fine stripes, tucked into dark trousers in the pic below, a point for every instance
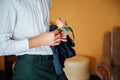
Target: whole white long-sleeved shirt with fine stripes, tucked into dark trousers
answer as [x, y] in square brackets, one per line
[21, 20]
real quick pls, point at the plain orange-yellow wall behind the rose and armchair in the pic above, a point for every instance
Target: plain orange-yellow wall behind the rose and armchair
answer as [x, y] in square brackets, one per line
[90, 19]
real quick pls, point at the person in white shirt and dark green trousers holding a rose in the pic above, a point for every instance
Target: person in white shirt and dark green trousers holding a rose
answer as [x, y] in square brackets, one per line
[25, 33]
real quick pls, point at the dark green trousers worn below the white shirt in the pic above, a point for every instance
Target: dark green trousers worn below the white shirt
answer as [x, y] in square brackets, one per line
[35, 67]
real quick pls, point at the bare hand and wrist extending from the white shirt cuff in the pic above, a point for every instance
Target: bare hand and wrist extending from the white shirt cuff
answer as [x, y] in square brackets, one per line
[46, 39]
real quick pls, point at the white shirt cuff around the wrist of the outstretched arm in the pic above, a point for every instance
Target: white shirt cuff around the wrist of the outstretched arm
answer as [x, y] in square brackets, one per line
[22, 45]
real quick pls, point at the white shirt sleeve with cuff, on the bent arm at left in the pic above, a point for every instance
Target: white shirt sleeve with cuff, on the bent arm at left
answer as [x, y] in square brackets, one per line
[8, 45]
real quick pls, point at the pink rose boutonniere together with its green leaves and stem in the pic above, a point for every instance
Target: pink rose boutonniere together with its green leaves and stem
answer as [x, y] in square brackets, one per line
[63, 26]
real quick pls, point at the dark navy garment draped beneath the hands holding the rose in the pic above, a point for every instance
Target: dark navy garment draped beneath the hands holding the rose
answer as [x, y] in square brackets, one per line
[61, 52]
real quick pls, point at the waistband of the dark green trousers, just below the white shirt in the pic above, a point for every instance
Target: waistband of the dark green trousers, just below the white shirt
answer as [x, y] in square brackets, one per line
[36, 58]
